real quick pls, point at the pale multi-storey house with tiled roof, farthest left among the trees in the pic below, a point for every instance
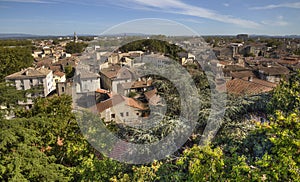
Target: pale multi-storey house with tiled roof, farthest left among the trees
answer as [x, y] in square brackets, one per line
[30, 78]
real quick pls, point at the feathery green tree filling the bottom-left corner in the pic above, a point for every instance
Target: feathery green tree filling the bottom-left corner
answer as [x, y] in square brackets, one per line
[20, 157]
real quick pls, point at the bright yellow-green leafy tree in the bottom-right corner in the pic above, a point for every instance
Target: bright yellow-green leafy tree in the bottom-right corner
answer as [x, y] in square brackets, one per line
[282, 161]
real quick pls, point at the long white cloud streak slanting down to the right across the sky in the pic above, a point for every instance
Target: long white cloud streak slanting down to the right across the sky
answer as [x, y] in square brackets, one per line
[178, 7]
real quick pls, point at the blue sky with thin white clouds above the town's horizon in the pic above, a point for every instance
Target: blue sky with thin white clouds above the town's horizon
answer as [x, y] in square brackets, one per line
[63, 17]
